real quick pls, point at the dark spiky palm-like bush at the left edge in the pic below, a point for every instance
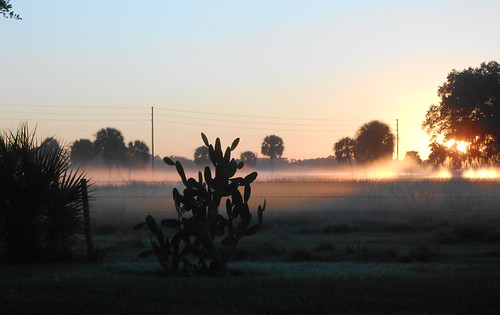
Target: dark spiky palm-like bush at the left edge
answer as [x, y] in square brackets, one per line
[40, 200]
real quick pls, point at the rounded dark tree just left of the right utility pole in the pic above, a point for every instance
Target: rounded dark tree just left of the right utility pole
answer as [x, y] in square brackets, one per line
[374, 141]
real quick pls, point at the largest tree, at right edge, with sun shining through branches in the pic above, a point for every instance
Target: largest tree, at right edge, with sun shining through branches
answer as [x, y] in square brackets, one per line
[469, 111]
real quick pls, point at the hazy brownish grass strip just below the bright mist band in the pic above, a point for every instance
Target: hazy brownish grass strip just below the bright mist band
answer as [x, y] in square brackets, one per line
[418, 203]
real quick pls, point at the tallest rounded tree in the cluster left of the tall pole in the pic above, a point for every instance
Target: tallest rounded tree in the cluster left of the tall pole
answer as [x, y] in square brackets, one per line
[109, 142]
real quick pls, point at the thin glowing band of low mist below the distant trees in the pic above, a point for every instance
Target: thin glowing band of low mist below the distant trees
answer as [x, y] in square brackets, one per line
[394, 170]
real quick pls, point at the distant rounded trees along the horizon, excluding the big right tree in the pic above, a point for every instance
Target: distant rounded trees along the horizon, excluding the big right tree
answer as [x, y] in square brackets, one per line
[374, 141]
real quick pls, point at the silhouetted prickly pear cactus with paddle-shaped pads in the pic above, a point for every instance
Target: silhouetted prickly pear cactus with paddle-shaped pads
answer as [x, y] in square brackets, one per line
[195, 247]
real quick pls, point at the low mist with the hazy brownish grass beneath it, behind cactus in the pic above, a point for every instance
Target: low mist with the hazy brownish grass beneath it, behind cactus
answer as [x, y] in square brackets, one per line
[391, 193]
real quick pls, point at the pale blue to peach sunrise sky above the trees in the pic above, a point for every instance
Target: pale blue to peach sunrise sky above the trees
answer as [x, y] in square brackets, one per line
[311, 72]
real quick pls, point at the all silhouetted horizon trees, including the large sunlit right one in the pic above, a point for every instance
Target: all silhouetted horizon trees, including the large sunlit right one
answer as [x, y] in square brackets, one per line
[464, 129]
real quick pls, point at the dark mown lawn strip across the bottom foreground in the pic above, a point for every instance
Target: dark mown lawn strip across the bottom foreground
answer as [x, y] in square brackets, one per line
[255, 288]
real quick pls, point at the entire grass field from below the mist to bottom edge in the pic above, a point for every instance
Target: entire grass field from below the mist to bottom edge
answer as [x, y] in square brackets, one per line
[326, 247]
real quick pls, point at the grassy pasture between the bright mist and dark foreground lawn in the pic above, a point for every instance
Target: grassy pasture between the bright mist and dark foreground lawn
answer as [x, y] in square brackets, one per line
[383, 221]
